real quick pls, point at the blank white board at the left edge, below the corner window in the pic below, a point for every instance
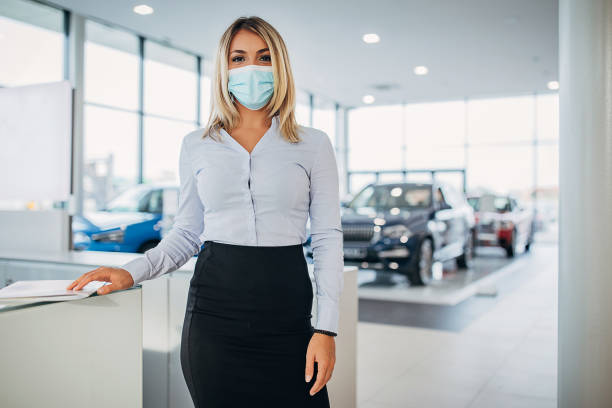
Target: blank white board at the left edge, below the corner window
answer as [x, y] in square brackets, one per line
[35, 141]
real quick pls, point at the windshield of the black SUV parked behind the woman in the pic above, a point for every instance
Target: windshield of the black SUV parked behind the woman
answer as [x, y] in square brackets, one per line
[386, 197]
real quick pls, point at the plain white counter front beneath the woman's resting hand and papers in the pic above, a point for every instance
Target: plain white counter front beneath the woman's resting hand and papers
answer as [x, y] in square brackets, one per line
[78, 353]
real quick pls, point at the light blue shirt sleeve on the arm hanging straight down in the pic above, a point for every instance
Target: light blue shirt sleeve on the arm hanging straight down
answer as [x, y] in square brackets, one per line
[326, 236]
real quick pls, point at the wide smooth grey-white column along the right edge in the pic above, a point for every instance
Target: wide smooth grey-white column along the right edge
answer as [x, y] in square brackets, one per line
[585, 246]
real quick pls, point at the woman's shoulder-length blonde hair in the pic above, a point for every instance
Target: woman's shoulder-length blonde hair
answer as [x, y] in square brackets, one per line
[223, 112]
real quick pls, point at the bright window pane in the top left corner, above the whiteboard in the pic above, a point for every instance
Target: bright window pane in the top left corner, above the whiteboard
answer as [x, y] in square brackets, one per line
[32, 40]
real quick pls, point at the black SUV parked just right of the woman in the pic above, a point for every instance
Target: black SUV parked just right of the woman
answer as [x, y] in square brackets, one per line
[406, 227]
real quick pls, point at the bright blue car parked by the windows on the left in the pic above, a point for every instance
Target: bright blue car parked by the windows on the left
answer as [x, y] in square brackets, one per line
[132, 222]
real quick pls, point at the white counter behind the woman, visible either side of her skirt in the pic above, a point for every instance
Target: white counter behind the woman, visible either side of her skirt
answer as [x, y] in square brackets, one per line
[164, 302]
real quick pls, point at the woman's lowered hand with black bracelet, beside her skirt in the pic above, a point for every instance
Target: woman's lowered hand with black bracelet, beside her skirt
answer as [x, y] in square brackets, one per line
[322, 349]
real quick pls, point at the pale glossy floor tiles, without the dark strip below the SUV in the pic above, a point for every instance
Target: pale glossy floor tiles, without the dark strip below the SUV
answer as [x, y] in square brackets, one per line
[504, 358]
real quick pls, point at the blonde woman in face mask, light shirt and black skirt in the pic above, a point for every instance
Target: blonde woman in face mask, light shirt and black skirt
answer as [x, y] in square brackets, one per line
[249, 182]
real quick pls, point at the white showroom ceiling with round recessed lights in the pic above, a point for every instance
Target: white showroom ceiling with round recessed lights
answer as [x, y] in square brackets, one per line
[472, 48]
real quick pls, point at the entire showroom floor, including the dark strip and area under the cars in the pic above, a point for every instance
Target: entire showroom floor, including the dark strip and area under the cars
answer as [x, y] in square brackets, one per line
[482, 351]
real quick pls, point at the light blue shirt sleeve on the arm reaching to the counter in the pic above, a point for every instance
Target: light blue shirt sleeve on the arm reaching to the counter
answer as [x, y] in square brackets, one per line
[183, 240]
